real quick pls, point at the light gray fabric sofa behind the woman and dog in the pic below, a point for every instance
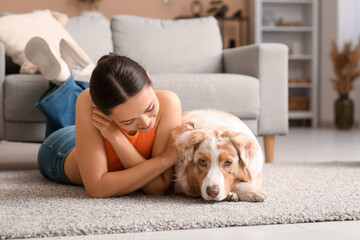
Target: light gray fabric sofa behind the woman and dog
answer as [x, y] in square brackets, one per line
[184, 56]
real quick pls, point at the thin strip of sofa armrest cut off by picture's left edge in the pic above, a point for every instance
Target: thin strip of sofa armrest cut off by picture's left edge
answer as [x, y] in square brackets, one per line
[2, 79]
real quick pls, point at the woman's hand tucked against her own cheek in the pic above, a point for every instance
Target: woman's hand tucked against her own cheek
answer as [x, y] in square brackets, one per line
[104, 124]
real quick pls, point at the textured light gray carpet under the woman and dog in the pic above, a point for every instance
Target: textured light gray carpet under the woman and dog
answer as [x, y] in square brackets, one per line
[31, 206]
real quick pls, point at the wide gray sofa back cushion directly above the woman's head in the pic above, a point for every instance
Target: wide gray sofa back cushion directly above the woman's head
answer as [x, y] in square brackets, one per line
[169, 46]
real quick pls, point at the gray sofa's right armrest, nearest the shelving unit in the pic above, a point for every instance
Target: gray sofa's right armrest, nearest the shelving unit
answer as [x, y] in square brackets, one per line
[268, 62]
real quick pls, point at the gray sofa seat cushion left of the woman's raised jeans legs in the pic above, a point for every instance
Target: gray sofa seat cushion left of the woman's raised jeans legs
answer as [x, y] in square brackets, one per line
[21, 93]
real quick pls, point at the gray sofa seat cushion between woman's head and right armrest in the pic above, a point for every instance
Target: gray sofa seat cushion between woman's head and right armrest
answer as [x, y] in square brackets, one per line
[234, 93]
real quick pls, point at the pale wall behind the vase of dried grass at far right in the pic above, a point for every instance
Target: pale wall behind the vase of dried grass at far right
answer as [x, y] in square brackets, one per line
[338, 23]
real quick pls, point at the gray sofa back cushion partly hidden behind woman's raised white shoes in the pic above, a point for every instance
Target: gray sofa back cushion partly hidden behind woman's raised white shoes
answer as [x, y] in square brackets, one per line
[92, 33]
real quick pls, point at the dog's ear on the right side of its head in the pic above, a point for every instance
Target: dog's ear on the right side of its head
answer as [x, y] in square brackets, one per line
[246, 147]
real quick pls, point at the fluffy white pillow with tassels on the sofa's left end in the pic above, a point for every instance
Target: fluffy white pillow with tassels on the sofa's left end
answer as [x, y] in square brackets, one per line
[16, 30]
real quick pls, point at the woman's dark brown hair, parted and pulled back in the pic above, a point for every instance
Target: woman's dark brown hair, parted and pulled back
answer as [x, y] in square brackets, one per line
[114, 80]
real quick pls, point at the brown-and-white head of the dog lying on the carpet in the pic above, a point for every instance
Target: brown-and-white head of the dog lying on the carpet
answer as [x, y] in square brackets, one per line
[212, 162]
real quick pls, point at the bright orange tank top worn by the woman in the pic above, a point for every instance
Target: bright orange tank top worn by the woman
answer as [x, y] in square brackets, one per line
[142, 142]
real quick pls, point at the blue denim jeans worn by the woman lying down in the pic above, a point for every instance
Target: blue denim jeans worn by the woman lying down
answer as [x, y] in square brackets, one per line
[58, 105]
